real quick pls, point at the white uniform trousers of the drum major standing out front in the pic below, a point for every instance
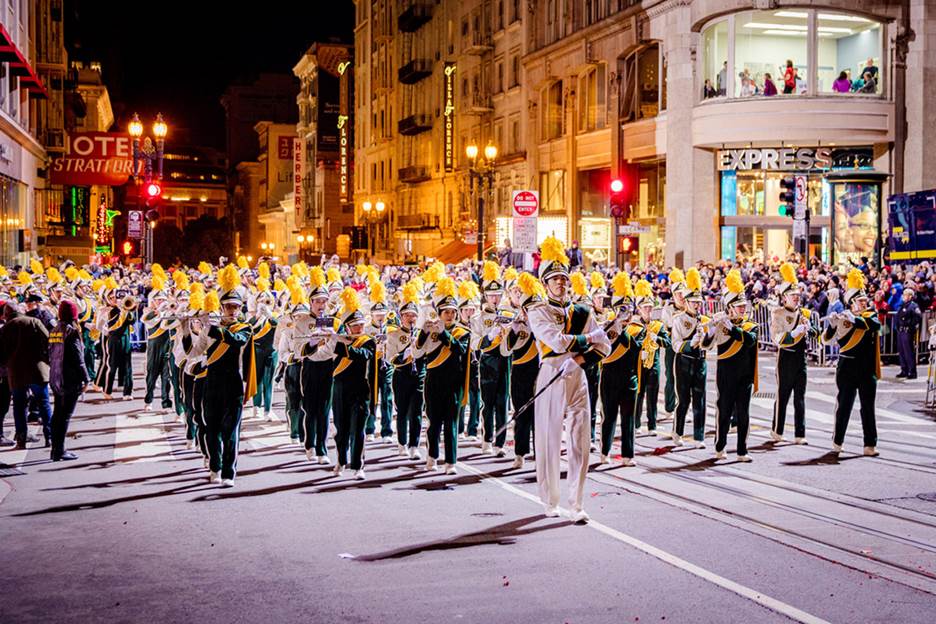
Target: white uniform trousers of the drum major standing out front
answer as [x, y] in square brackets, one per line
[565, 400]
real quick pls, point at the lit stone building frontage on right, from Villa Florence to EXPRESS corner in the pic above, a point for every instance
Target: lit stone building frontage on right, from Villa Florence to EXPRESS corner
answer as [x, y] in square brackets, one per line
[701, 108]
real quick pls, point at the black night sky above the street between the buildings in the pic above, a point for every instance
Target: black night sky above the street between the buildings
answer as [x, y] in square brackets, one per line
[177, 57]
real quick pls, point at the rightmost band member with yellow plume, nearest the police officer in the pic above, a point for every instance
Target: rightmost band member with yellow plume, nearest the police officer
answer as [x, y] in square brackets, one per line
[859, 365]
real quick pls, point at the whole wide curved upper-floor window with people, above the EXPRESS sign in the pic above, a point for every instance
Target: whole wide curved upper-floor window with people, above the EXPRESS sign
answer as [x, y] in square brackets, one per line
[770, 52]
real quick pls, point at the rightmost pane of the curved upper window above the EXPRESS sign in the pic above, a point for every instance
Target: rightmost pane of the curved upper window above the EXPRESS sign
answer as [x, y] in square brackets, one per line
[849, 47]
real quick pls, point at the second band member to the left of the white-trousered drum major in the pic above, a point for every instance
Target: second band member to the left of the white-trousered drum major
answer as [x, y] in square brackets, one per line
[487, 333]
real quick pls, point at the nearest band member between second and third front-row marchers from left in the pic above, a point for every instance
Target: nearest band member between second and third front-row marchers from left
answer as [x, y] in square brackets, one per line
[409, 372]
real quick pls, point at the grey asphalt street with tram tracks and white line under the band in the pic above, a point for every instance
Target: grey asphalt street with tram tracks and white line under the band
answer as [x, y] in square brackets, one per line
[132, 531]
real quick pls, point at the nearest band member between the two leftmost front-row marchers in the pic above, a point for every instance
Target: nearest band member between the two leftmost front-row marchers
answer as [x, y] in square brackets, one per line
[317, 371]
